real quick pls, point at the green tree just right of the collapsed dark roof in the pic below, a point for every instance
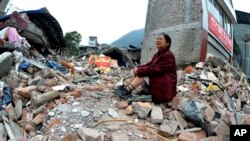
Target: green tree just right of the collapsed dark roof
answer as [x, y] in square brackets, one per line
[72, 41]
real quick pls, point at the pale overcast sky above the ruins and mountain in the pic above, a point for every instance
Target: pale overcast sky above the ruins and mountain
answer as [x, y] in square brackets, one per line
[106, 19]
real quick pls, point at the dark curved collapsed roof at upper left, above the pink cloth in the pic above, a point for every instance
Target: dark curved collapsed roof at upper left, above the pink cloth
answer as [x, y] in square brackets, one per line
[40, 29]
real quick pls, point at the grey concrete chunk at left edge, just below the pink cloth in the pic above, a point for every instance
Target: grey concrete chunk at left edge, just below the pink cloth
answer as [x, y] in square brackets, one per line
[5, 63]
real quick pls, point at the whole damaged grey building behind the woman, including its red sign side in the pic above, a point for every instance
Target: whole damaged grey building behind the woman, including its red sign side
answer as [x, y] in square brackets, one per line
[197, 28]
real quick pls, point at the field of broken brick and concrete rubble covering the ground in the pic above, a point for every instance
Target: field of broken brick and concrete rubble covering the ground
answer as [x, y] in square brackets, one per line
[63, 99]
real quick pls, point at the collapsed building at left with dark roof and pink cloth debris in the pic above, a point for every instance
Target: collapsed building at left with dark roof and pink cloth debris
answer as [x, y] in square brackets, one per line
[33, 33]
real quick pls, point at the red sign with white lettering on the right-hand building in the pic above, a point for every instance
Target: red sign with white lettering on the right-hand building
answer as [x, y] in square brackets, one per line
[219, 32]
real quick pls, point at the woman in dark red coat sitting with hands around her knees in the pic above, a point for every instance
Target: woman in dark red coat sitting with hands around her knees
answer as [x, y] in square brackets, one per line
[161, 72]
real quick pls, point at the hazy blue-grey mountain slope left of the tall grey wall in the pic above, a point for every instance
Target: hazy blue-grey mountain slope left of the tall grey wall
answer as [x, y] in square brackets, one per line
[134, 38]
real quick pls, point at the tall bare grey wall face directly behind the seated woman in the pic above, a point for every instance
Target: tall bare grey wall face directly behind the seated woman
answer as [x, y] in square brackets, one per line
[182, 20]
